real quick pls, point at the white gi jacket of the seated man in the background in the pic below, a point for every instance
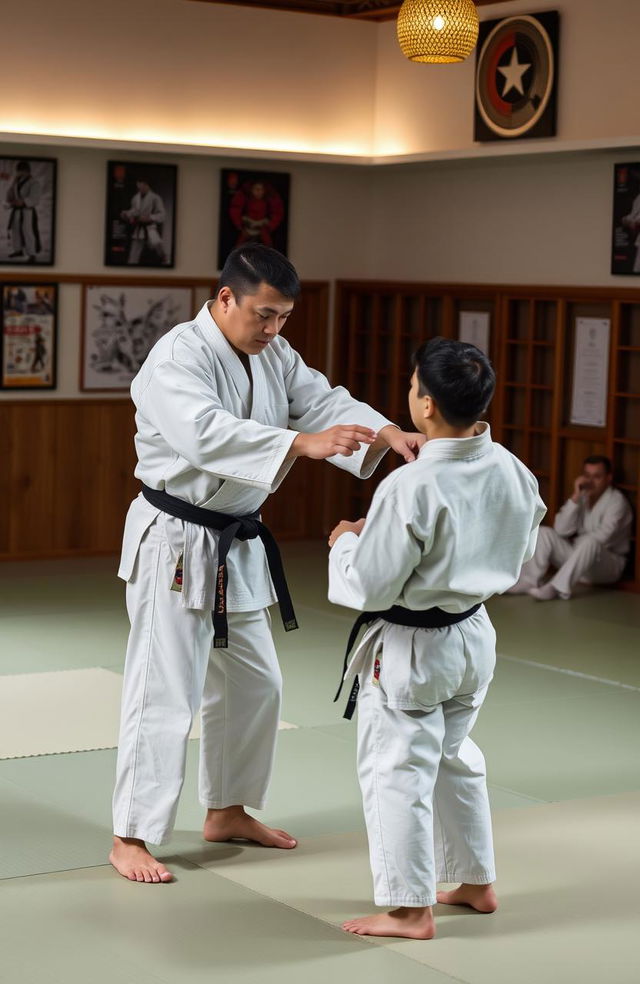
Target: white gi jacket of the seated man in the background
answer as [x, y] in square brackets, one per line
[608, 522]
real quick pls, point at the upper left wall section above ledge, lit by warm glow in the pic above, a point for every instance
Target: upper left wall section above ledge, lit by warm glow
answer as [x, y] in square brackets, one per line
[175, 71]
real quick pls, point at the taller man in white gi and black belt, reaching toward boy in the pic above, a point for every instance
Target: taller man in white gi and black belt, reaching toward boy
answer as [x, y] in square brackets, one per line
[224, 406]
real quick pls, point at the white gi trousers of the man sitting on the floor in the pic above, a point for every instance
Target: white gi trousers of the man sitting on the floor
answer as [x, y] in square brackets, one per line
[581, 559]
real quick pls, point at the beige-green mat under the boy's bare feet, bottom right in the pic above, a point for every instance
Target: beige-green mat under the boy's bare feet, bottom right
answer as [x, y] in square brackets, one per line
[568, 900]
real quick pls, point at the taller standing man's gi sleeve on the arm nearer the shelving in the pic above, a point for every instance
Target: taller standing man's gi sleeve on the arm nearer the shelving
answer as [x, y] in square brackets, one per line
[315, 405]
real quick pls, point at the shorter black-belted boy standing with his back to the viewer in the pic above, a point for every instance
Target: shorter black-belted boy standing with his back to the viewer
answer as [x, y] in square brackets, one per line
[443, 534]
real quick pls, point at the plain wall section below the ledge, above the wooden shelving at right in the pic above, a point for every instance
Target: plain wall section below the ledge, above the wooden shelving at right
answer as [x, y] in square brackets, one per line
[543, 219]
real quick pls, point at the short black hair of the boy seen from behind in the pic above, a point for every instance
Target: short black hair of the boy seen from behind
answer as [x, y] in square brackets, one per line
[458, 376]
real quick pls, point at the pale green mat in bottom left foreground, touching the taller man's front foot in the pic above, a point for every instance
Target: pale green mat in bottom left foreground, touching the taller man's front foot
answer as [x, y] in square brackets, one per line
[93, 926]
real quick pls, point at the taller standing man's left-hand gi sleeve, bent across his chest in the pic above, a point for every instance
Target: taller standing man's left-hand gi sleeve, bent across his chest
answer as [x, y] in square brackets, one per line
[183, 406]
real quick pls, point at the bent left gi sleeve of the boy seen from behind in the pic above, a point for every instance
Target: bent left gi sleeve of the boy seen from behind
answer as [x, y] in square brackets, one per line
[368, 572]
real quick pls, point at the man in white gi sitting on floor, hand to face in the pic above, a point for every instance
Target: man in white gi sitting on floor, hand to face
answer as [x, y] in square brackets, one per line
[589, 540]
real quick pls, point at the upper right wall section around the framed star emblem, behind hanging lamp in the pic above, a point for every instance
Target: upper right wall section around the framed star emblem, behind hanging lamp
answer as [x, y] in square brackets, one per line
[422, 109]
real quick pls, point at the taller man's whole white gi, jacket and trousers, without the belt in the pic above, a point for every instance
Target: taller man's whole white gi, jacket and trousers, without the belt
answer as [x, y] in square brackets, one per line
[210, 436]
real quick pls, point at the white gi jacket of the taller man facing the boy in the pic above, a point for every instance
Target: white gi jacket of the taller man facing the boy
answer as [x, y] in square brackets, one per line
[207, 435]
